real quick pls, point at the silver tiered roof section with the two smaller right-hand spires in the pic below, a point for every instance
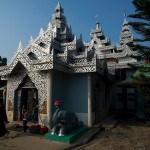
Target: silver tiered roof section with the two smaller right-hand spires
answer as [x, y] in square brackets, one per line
[117, 56]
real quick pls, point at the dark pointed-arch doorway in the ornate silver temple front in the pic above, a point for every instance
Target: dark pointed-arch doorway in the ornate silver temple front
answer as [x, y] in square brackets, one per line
[26, 95]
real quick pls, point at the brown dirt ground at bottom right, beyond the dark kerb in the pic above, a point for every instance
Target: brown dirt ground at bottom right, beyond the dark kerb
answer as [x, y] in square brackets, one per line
[127, 135]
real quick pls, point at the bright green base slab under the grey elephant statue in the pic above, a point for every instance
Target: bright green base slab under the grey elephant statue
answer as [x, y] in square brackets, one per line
[69, 138]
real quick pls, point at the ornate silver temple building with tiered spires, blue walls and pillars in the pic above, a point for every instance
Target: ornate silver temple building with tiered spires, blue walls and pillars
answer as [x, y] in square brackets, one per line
[58, 66]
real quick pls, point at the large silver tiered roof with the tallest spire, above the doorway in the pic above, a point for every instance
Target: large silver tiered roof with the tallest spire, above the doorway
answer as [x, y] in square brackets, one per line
[56, 48]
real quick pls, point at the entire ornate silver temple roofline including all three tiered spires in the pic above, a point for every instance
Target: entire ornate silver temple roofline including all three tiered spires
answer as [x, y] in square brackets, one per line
[58, 48]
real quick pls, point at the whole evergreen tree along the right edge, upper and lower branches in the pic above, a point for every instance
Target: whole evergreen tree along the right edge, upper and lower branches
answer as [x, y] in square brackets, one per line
[141, 25]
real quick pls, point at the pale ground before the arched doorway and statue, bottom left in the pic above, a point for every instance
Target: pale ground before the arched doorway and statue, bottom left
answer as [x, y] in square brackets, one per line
[29, 142]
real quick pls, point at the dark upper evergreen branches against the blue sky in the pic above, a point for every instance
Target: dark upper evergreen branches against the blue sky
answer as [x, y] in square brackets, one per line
[142, 26]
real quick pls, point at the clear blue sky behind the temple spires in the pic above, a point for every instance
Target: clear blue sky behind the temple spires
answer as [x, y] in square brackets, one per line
[19, 19]
